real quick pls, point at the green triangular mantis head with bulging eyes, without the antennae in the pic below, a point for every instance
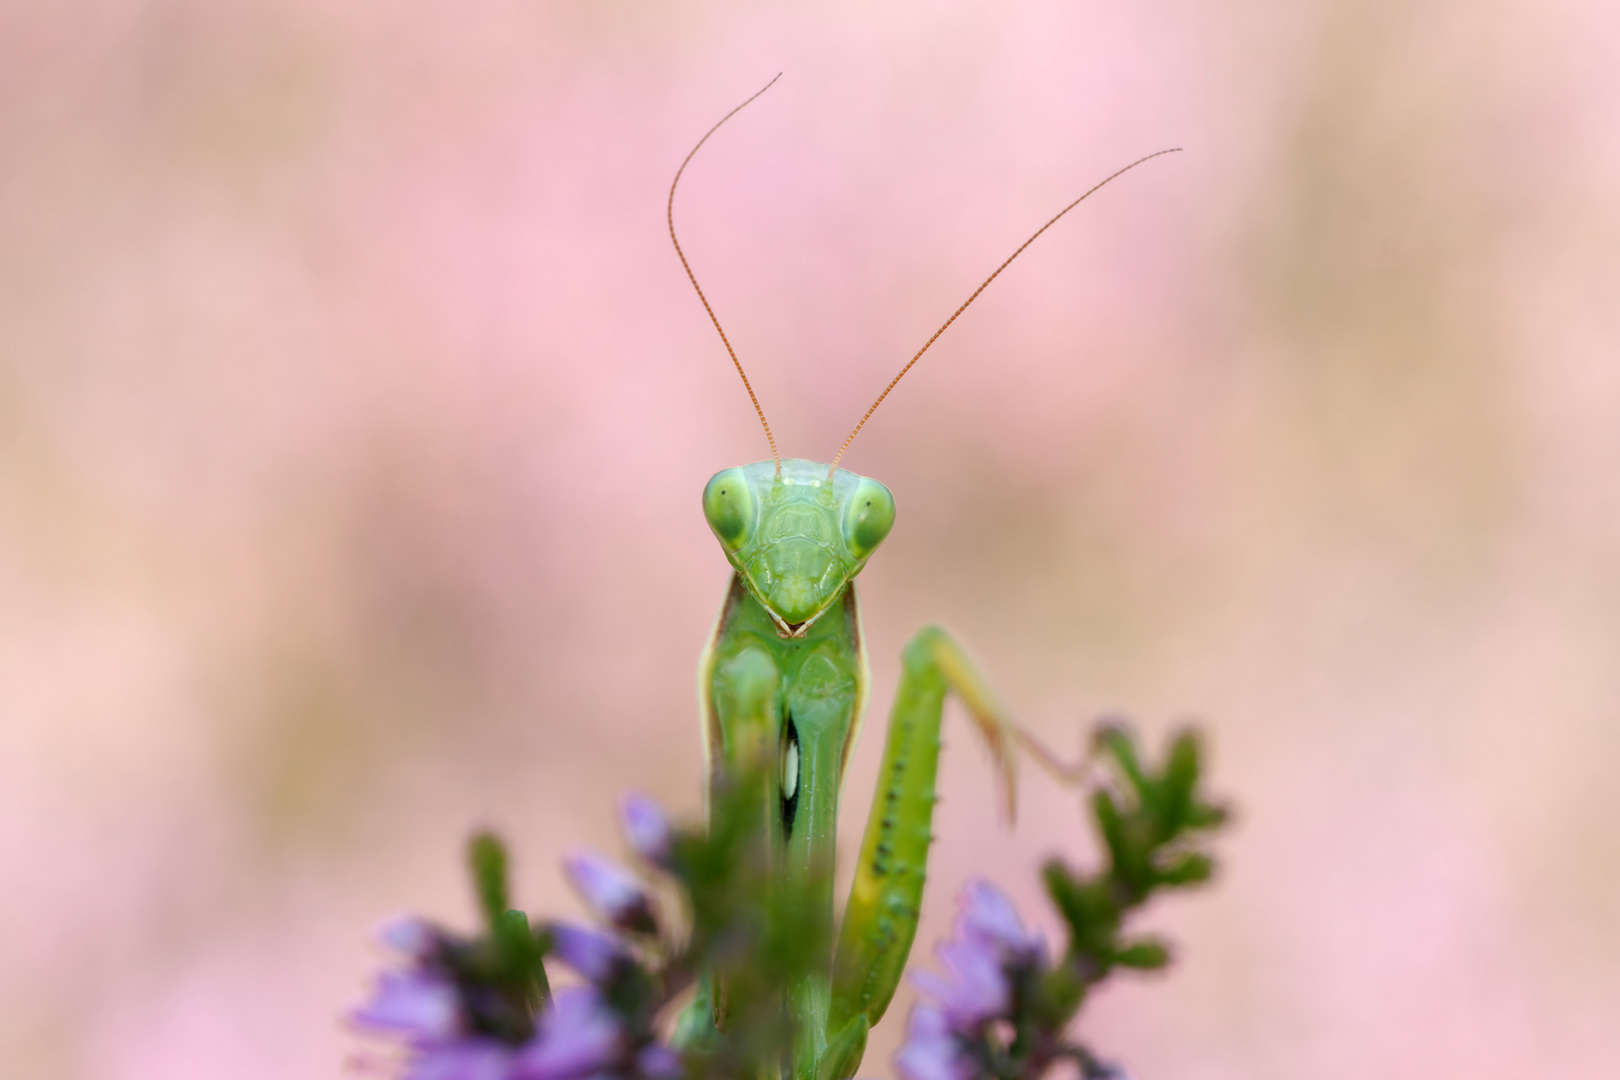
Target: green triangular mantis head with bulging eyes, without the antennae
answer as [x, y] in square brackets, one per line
[796, 537]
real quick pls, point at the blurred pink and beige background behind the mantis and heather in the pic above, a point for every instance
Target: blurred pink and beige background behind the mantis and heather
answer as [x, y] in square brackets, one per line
[354, 414]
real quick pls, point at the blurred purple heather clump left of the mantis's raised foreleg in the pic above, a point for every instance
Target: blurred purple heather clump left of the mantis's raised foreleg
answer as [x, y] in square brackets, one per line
[482, 1008]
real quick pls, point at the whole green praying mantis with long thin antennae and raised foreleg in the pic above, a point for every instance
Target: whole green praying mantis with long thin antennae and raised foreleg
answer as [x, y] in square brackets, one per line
[785, 681]
